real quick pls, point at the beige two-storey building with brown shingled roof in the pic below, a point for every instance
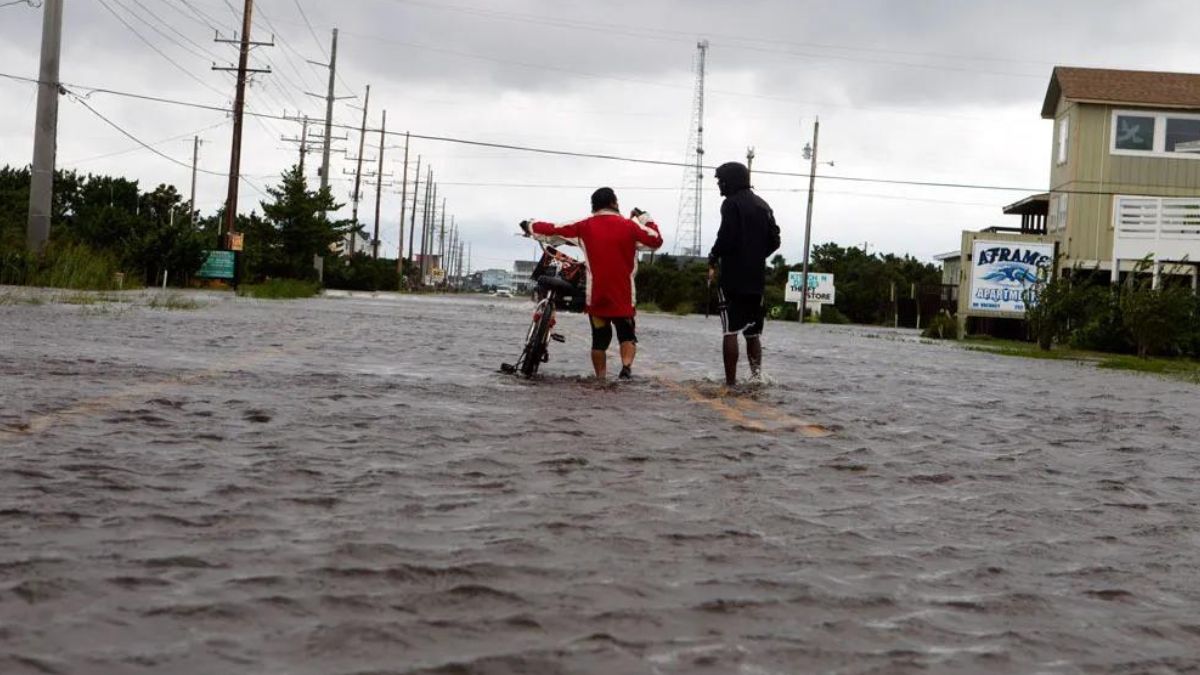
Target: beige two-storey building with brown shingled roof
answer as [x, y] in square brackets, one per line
[1125, 168]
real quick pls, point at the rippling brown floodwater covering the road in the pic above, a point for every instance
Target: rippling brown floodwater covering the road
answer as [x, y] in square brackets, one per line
[347, 486]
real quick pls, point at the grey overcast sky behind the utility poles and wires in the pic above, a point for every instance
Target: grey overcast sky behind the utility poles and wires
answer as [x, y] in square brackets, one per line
[925, 91]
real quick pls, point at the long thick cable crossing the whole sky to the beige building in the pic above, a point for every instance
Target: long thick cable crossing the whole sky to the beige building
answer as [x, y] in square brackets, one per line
[599, 156]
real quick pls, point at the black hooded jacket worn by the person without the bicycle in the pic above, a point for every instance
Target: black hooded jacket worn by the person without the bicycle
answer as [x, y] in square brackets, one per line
[748, 235]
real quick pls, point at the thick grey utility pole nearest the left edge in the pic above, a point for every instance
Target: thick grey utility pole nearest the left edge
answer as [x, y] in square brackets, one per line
[46, 130]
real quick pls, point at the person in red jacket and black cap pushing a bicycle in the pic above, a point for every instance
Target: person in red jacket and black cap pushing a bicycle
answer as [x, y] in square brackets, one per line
[610, 246]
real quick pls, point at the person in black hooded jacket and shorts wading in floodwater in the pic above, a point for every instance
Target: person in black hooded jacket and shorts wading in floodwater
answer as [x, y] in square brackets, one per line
[748, 236]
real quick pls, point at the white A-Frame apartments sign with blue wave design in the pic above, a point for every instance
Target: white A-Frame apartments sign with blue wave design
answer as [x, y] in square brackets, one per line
[1001, 272]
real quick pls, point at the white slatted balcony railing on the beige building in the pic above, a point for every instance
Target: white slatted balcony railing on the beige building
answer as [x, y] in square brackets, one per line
[1160, 229]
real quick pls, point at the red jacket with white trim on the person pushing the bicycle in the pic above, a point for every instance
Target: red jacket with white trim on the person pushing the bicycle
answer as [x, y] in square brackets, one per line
[610, 243]
